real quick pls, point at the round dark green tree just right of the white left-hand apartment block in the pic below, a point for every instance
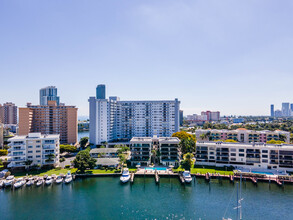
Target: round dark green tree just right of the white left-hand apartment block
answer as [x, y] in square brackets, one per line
[84, 161]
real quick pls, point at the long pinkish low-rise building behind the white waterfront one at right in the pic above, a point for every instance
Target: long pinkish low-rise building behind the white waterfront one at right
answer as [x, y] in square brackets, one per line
[242, 135]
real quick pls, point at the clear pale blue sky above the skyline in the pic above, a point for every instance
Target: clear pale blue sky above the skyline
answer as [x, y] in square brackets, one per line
[232, 56]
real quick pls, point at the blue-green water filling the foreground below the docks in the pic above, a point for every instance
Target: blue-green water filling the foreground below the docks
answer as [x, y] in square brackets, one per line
[106, 198]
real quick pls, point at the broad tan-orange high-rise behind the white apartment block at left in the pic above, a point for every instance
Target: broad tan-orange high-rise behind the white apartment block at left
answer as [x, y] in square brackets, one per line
[50, 119]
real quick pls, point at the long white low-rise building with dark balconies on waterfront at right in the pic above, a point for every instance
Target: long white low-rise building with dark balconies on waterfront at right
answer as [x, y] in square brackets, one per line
[249, 155]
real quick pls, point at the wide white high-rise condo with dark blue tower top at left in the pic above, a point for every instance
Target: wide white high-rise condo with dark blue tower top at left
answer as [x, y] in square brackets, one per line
[113, 120]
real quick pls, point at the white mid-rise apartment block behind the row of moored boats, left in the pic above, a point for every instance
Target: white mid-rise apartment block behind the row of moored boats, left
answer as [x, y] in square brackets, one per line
[40, 149]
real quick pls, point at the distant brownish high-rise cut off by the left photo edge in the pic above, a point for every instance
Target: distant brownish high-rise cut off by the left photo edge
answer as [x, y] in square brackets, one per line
[8, 113]
